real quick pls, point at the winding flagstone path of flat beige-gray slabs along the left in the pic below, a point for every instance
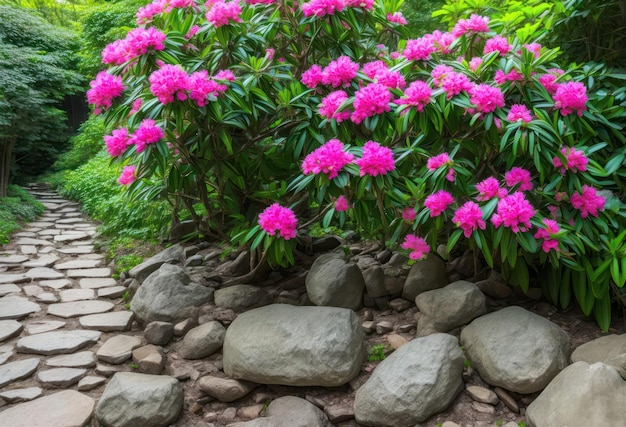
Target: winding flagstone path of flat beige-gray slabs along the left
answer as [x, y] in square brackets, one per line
[58, 305]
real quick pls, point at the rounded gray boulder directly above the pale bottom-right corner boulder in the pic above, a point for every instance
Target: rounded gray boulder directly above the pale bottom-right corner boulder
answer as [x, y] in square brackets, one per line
[515, 349]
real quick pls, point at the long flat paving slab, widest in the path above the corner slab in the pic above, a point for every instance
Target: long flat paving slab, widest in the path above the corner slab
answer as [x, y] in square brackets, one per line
[57, 342]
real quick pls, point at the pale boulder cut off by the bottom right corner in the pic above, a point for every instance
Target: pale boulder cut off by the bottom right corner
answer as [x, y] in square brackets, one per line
[581, 395]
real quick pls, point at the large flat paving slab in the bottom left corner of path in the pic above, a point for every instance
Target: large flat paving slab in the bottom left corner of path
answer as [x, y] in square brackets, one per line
[65, 408]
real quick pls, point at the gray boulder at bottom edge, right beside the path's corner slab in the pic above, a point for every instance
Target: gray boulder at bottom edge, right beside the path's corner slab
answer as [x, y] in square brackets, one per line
[131, 400]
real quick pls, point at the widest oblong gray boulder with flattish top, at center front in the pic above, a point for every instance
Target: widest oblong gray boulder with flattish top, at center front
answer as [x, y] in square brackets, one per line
[297, 346]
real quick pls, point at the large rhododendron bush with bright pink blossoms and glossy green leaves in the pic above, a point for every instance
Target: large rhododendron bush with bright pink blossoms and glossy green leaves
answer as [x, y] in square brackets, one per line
[252, 116]
